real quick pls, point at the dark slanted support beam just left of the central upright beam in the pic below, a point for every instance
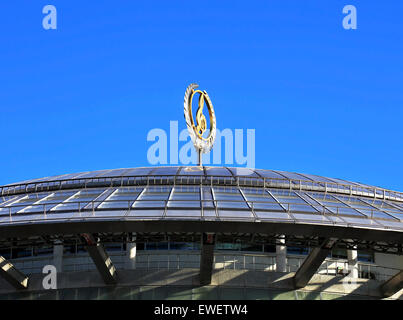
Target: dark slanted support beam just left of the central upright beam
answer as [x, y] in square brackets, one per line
[101, 259]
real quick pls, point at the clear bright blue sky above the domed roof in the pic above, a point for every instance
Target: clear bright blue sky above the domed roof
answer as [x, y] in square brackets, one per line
[323, 100]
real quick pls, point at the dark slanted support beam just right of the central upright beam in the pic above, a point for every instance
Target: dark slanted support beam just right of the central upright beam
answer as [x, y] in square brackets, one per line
[312, 263]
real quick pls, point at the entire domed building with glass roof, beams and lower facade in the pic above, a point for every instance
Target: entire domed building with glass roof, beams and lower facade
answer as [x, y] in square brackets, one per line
[200, 233]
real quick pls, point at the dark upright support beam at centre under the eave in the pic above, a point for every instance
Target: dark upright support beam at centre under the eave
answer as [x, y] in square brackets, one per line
[207, 258]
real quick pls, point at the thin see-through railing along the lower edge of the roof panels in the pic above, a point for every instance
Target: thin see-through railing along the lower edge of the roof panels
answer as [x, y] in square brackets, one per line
[200, 209]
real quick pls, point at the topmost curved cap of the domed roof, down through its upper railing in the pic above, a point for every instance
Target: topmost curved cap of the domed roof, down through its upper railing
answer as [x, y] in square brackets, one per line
[190, 175]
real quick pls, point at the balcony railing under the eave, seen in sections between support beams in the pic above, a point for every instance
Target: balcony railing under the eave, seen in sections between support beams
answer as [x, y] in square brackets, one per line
[176, 260]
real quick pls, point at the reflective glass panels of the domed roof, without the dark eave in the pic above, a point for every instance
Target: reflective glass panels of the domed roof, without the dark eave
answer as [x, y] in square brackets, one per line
[184, 200]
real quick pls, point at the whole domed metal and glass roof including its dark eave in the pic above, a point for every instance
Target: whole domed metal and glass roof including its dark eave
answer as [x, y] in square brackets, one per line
[208, 199]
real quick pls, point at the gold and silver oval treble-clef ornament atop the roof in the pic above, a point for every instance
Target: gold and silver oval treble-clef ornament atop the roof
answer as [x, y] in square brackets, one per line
[202, 138]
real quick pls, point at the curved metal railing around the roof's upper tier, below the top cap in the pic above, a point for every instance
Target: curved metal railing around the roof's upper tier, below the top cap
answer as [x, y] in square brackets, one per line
[255, 181]
